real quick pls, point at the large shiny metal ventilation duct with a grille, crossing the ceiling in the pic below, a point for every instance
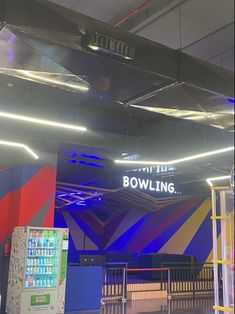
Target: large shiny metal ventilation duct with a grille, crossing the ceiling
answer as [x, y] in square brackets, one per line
[49, 44]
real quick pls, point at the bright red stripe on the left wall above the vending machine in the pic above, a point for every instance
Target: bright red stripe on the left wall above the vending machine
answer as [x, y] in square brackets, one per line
[19, 207]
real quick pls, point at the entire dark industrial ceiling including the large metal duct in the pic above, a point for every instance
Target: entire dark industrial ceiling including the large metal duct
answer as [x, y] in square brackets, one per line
[155, 80]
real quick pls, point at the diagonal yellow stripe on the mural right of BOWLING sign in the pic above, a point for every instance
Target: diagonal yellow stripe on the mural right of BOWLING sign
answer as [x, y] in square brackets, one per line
[180, 241]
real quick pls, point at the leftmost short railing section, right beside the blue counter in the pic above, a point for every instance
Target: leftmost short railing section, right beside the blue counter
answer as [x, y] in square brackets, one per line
[114, 282]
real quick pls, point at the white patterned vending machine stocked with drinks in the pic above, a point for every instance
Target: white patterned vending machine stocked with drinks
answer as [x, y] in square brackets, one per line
[37, 274]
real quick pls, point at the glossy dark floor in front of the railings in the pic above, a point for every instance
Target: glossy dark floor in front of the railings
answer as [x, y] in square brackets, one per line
[175, 306]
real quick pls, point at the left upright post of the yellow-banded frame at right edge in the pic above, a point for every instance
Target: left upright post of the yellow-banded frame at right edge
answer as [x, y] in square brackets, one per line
[215, 251]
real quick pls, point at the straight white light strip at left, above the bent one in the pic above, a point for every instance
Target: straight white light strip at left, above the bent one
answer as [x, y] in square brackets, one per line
[42, 122]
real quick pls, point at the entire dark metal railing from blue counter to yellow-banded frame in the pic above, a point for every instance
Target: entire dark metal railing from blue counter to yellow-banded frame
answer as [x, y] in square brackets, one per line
[119, 282]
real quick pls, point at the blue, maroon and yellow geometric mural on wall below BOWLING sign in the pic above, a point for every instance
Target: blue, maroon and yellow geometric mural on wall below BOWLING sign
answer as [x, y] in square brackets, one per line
[143, 225]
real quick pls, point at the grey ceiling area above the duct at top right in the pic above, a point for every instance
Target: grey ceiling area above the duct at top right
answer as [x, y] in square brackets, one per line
[201, 28]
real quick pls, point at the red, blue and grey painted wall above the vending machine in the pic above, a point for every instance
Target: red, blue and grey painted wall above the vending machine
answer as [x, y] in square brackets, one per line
[26, 197]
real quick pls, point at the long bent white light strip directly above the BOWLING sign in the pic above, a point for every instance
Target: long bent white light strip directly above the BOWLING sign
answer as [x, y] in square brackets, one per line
[176, 161]
